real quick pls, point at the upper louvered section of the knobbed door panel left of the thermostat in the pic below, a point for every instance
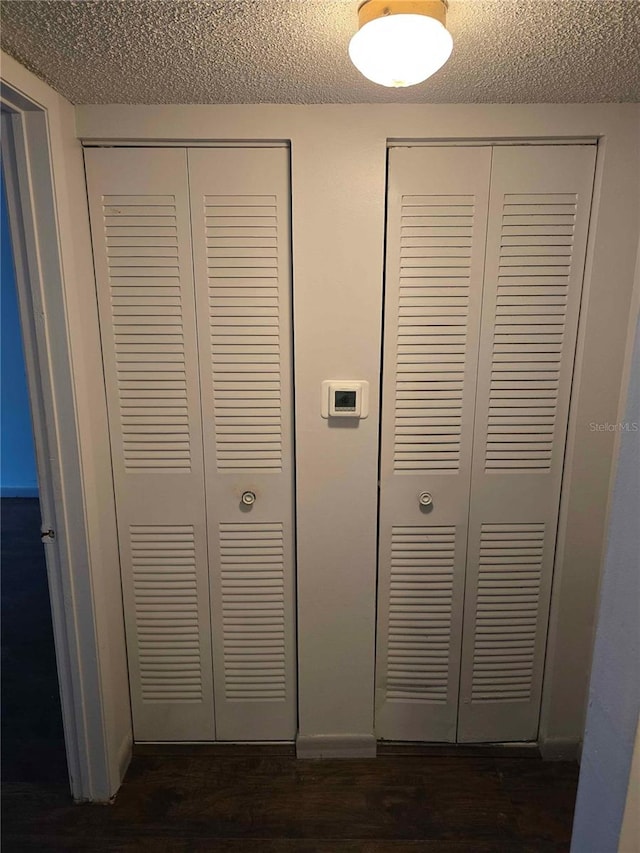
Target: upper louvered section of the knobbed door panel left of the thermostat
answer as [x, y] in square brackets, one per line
[243, 379]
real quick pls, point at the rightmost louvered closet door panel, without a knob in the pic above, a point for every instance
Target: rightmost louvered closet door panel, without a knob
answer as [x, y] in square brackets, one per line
[536, 243]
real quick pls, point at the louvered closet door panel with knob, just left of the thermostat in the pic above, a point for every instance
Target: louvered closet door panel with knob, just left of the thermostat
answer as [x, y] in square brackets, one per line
[242, 255]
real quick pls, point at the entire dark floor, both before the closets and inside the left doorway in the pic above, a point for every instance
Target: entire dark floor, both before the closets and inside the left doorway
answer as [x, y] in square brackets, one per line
[237, 799]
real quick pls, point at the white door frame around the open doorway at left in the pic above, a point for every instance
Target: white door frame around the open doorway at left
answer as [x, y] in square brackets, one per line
[31, 198]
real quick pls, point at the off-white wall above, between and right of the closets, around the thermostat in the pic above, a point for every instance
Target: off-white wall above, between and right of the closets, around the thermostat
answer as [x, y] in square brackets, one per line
[338, 174]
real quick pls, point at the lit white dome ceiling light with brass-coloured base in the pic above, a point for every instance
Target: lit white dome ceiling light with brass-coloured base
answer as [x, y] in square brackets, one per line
[401, 42]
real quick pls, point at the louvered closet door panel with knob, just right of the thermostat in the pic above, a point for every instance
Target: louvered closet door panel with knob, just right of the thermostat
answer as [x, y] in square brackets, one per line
[437, 209]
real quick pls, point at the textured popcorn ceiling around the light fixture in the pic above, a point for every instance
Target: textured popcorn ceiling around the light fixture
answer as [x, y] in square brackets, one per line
[295, 51]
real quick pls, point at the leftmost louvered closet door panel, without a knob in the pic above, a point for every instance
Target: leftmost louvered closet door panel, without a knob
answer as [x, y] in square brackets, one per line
[140, 225]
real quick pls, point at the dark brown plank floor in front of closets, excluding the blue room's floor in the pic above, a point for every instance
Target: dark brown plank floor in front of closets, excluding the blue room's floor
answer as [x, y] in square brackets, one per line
[262, 802]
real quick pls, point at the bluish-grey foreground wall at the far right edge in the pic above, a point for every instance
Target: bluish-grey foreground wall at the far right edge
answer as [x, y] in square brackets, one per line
[614, 693]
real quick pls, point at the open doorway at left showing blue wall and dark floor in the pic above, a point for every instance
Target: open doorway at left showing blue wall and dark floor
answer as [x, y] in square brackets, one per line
[33, 750]
